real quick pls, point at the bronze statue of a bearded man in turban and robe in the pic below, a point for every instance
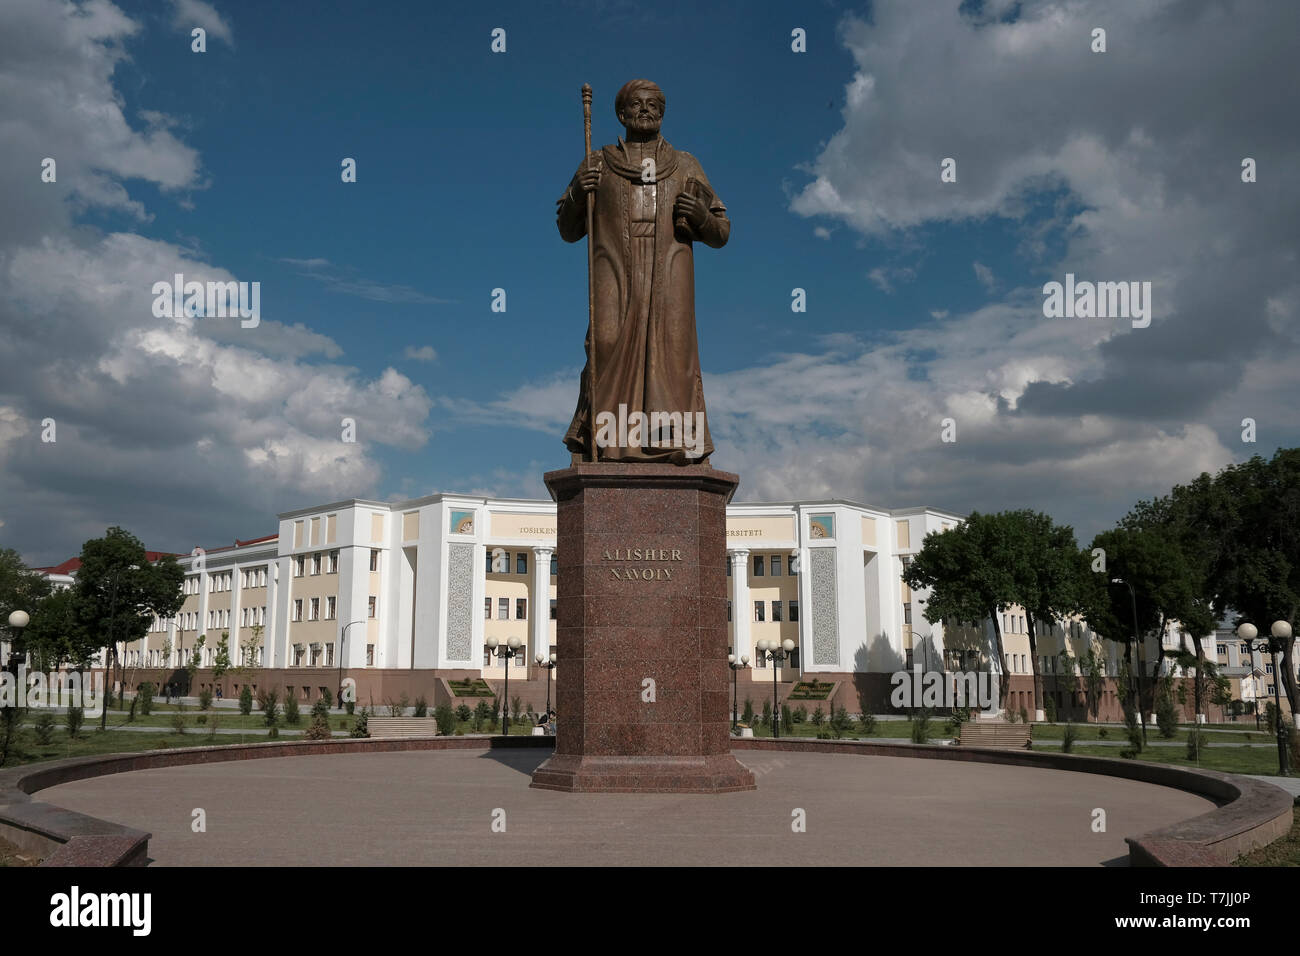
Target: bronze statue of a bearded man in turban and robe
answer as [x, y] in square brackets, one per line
[642, 390]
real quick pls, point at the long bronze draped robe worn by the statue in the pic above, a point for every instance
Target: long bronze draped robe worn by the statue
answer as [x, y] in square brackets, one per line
[643, 336]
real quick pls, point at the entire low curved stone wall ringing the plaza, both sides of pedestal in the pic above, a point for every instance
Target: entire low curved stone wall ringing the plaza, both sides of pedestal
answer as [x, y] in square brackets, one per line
[1253, 814]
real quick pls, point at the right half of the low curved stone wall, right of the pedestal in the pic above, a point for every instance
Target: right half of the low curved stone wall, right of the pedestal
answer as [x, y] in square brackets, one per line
[1251, 814]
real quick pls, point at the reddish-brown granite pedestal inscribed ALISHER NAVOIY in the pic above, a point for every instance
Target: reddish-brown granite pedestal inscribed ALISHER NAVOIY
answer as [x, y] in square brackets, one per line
[642, 681]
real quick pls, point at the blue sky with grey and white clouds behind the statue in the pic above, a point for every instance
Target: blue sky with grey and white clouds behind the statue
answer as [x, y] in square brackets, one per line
[924, 299]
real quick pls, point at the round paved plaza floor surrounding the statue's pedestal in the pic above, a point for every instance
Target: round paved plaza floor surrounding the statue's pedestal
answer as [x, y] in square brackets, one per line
[439, 808]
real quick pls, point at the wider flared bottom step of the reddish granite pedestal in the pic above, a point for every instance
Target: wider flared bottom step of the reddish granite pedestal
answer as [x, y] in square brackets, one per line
[577, 775]
